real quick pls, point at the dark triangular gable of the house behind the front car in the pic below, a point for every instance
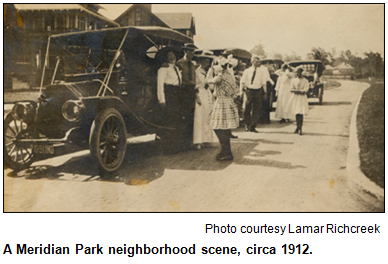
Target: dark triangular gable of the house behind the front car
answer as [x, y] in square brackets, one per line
[139, 15]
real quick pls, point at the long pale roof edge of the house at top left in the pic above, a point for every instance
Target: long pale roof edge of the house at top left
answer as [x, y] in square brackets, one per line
[43, 7]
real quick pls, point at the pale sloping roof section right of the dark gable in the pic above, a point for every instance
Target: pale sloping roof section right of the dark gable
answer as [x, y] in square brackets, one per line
[182, 22]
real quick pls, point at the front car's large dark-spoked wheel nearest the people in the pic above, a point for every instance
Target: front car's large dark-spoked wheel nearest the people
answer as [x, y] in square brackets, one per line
[107, 140]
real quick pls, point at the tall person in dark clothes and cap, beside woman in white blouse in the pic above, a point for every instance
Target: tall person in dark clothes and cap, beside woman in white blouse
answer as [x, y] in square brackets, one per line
[188, 95]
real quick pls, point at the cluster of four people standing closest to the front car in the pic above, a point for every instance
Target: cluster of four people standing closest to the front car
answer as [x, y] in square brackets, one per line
[197, 101]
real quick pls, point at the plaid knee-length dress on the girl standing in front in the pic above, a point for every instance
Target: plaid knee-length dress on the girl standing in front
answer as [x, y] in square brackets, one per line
[225, 113]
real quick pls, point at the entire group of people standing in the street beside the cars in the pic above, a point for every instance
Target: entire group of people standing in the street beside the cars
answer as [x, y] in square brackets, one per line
[198, 100]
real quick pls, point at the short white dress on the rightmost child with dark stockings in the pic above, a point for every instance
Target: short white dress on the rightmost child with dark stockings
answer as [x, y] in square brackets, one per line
[298, 103]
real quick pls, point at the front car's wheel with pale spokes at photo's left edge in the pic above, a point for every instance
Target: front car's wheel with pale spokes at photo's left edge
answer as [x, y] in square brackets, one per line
[17, 156]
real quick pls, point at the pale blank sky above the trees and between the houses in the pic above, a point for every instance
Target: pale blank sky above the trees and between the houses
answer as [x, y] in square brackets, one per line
[282, 28]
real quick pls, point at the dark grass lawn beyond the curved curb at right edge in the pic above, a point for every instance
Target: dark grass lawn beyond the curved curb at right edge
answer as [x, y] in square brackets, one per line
[370, 128]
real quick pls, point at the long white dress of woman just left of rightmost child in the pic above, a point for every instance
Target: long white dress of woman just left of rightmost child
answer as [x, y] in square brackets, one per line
[283, 86]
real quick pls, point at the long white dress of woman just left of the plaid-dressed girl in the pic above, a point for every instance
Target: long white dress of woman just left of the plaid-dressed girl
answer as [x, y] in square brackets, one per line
[203, 133]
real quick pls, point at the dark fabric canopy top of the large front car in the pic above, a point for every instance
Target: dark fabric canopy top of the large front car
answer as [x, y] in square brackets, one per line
[138, 39]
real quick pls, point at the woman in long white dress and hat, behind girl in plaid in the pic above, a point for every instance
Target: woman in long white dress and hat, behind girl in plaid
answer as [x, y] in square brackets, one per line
[203, 132]
